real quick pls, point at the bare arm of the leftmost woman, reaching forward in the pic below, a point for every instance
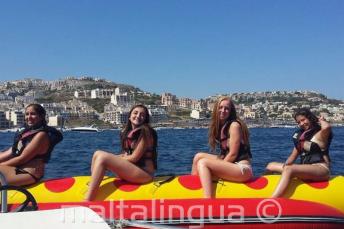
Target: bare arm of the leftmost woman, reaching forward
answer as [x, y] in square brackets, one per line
[39, 145]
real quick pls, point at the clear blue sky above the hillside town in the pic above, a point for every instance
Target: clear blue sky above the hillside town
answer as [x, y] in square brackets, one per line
[189, 48]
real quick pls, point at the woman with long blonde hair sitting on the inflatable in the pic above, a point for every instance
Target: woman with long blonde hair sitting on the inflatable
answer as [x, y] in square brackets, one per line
[234, 160]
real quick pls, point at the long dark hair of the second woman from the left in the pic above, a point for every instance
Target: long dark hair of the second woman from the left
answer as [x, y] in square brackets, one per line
[145, 127]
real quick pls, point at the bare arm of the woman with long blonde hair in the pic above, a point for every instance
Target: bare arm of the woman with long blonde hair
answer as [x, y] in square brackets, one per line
[234, 141]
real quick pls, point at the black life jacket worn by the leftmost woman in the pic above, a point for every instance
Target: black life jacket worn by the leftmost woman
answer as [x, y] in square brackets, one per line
[24, 136]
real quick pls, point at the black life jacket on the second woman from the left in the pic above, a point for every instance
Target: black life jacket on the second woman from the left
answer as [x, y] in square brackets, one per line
[131, 142]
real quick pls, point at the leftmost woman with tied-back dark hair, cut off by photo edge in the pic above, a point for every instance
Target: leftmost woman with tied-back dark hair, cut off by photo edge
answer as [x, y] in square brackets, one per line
[24, 162]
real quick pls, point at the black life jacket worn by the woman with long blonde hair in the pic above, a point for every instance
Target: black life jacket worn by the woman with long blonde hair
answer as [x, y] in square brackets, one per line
[244, 150]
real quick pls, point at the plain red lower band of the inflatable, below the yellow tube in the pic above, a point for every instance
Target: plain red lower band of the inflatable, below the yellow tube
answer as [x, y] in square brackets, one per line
[203, 208]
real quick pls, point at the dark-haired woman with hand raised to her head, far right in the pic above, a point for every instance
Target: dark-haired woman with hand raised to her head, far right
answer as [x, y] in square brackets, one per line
[311, 141]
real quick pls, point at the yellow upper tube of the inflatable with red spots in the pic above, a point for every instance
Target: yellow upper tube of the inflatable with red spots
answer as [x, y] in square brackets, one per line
[184, 187]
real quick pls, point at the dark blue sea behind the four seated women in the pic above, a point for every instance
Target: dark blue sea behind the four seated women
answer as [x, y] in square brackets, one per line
[176, 148]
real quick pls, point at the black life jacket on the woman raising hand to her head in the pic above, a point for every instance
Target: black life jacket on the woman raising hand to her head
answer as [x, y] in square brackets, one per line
[311, 152]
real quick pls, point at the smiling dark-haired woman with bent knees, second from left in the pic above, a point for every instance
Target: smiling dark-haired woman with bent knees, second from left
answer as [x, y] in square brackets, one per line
[138, 160]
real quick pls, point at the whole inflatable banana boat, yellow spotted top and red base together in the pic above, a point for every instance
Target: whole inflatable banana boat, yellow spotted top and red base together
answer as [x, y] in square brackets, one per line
[303, 200]
